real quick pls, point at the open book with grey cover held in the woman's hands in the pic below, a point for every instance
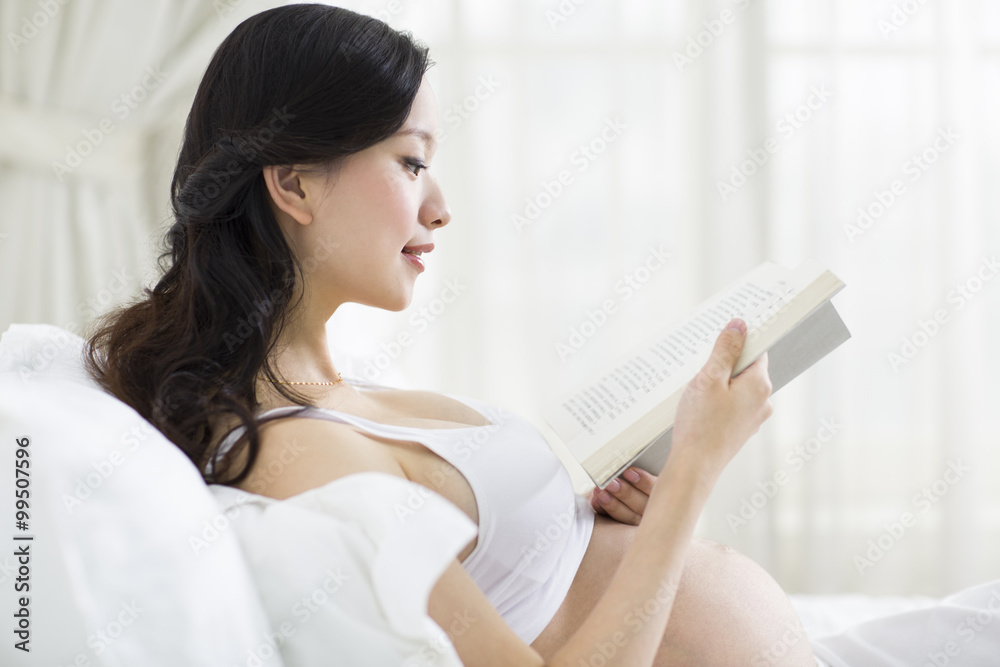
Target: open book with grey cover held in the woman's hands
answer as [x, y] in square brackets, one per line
[625, 415]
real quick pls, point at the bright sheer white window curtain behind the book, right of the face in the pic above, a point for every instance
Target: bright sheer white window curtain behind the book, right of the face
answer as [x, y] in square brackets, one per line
[671, 97]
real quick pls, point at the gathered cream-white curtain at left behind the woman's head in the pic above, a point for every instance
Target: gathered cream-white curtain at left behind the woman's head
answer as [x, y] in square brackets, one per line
[93, 97]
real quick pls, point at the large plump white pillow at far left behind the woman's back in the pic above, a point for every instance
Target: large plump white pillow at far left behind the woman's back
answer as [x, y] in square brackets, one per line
[116, 510]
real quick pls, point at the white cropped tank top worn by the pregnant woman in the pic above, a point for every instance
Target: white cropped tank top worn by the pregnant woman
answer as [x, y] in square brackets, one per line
[533, 527]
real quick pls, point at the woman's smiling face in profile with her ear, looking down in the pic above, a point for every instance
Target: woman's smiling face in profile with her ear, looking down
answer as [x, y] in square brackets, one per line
[377, 202]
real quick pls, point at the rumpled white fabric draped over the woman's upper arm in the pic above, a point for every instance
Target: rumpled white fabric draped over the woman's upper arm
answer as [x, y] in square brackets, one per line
[345, 569]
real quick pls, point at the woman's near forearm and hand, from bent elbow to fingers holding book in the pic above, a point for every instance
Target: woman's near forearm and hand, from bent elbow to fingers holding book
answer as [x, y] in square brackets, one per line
[715, 418]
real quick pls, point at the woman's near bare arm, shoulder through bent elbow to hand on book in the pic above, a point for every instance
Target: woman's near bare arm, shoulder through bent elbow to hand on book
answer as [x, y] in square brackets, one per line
[715, 418]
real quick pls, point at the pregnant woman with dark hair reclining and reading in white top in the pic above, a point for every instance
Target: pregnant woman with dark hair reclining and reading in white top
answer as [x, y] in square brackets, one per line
[305, 181]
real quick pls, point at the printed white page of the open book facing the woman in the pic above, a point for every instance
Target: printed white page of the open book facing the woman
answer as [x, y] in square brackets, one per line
[584, 419]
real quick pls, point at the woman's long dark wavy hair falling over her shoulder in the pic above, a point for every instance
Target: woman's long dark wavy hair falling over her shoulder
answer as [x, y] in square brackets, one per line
[304, 84]
